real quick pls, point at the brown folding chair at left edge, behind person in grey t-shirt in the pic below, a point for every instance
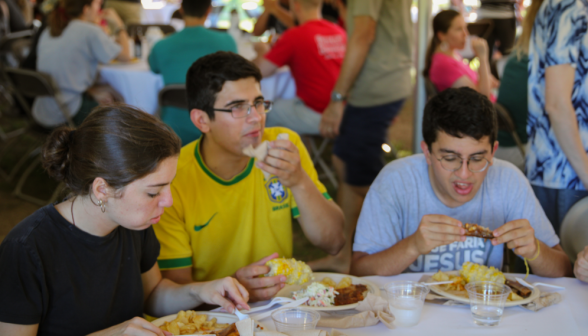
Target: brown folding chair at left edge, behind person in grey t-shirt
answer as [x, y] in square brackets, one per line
[28, 83]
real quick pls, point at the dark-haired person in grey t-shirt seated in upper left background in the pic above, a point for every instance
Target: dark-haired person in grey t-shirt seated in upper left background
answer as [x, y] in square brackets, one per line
[70, 50]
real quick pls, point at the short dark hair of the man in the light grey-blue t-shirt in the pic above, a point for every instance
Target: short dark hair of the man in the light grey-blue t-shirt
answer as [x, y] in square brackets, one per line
[460, 112]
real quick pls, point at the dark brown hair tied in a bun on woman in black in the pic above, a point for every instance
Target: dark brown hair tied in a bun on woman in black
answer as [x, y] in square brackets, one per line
[117, 142]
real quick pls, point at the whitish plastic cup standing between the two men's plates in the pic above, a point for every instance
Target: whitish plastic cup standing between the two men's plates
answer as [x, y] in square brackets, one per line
[406, 300]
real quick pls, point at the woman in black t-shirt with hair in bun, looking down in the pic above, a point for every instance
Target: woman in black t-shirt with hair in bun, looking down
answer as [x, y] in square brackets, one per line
[89, 264]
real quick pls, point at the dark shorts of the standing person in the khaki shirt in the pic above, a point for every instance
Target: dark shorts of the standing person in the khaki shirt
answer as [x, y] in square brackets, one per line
[359, 144]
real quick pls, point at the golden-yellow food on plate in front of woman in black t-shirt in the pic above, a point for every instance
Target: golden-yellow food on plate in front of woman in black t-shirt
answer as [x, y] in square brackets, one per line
[189, 322]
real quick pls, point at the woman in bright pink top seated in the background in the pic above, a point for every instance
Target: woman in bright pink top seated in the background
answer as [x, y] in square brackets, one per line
[445, 67]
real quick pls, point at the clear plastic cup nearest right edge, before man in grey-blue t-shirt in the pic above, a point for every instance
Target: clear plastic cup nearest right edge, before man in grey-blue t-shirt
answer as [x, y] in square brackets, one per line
[487, 301]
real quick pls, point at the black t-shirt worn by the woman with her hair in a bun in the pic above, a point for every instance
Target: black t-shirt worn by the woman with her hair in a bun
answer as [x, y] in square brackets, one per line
[71, 282]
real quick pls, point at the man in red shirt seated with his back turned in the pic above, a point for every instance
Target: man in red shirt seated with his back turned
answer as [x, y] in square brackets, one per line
[314, 51]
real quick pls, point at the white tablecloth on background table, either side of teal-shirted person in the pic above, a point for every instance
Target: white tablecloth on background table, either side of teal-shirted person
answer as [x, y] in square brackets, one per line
[140, 87]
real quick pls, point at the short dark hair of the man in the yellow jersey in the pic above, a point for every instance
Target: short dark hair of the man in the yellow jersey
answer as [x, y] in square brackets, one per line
[206, 77]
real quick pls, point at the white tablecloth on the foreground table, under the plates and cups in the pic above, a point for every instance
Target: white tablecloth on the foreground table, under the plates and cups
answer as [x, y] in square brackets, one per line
[570, 317]
